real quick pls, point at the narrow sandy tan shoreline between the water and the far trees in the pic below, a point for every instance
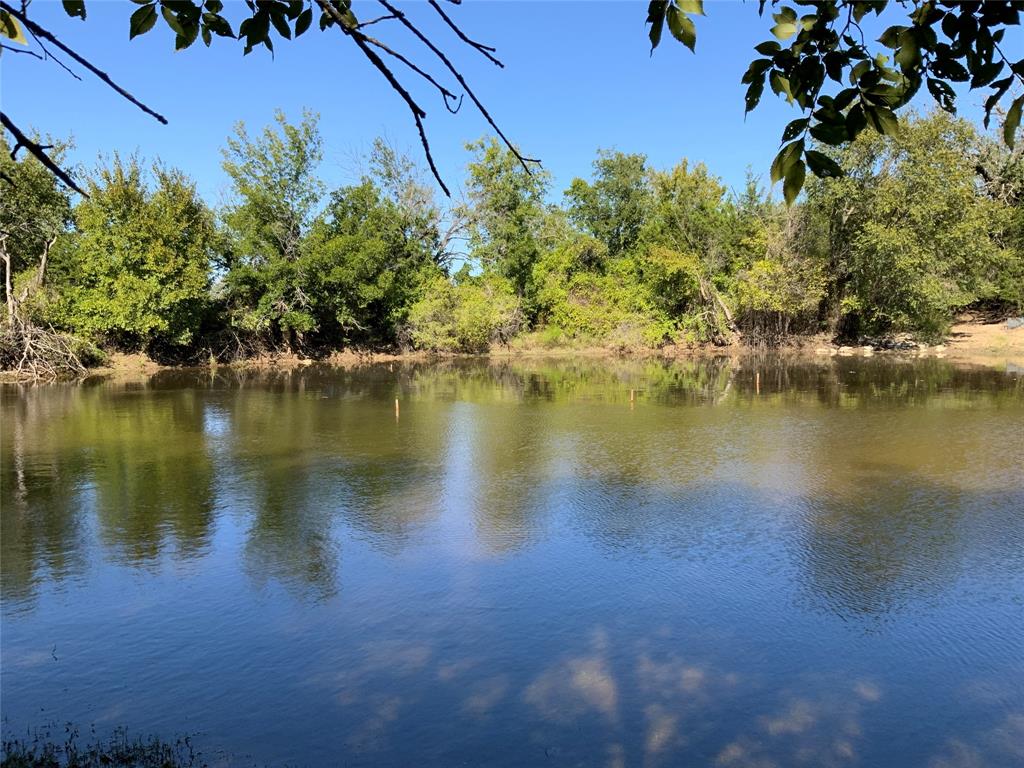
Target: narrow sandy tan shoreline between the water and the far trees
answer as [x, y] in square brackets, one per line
[972, 344]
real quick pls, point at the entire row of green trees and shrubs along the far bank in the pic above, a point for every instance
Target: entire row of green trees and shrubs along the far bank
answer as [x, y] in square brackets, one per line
[921, 225]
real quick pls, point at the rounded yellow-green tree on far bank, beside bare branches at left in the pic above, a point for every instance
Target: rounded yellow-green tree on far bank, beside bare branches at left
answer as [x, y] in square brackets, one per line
[137, 271]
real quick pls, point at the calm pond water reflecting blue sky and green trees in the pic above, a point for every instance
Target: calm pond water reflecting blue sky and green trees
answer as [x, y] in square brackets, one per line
[525, 569]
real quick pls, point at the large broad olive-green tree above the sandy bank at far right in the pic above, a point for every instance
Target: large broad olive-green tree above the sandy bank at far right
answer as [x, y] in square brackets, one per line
[911, 236]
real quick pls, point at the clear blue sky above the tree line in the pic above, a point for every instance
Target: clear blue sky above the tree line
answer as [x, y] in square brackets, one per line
[578, 77]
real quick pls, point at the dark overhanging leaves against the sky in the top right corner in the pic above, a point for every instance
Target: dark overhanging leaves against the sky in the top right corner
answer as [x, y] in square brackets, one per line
[843, 86]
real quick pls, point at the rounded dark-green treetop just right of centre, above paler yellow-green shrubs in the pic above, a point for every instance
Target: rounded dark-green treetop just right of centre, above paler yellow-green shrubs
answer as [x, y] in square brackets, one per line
[614, 207]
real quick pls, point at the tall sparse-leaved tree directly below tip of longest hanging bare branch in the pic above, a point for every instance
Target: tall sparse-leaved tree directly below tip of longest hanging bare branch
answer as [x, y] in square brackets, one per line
[506, 215]
